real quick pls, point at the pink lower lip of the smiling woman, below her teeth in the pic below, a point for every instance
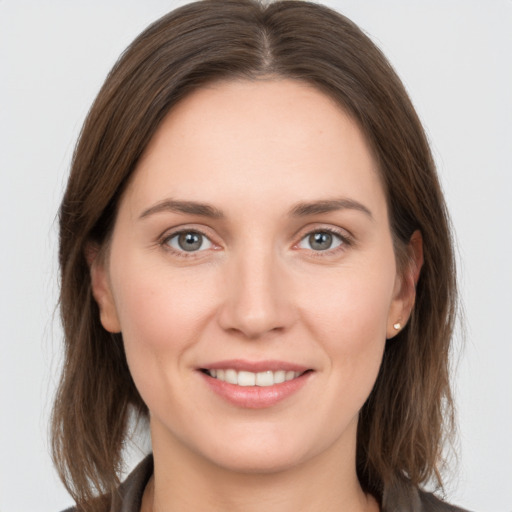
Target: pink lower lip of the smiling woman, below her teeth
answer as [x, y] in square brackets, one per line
[256, 397]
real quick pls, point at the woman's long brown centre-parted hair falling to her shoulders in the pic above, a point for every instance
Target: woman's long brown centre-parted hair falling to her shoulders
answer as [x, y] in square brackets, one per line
[404, 421]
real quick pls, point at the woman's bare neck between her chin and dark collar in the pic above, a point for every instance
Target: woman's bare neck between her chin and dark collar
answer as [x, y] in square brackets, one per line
[184, 481]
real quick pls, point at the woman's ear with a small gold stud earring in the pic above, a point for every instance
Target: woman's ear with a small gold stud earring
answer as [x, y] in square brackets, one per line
[405, 287]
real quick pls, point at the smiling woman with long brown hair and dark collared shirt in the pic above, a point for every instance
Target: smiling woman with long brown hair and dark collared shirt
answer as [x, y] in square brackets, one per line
[255, 256]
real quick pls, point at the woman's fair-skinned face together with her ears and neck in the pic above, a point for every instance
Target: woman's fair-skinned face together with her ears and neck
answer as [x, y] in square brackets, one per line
[254, 238]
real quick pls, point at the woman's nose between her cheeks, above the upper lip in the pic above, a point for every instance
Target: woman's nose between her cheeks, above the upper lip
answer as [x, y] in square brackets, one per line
[257, 296]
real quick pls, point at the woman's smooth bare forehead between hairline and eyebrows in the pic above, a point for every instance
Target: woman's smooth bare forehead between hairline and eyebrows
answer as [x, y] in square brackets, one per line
[274, 139]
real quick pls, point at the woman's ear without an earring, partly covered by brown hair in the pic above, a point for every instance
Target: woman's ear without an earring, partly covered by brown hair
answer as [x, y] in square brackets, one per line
[102, 289]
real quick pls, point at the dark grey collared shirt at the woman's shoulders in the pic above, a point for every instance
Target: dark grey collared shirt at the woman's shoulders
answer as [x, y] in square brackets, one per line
[402, 498]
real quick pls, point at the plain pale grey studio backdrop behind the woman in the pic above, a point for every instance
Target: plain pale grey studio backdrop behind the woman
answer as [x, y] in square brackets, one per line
[455, 58]
